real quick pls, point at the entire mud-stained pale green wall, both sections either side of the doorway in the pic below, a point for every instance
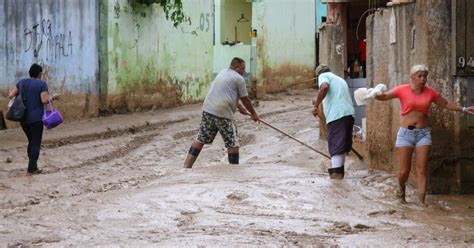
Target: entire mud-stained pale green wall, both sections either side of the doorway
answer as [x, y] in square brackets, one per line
[148, 63]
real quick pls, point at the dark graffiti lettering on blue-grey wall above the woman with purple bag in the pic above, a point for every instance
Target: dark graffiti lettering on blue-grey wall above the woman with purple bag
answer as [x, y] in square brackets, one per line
[46, 44]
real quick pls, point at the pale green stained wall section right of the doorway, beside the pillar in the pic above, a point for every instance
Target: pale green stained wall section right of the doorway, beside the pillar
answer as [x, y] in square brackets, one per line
[285, 42]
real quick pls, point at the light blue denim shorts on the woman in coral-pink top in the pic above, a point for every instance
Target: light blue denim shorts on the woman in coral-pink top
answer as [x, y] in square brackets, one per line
[413, 138]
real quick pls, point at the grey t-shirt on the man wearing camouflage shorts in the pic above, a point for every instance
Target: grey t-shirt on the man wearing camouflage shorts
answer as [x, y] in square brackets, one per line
[224, 94]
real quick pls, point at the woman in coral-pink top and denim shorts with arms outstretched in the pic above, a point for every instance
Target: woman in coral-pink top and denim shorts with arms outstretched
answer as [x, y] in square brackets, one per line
[415, 134]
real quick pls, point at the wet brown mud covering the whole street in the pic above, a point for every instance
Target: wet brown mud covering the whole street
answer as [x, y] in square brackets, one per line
[118, 181]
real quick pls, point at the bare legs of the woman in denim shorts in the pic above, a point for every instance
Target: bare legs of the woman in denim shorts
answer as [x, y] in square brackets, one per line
[405, 155]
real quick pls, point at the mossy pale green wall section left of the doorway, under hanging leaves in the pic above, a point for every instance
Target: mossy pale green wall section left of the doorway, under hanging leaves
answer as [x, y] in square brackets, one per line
[153, 64]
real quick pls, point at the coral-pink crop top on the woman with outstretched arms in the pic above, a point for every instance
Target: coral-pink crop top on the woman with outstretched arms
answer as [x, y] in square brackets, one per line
[411, 101]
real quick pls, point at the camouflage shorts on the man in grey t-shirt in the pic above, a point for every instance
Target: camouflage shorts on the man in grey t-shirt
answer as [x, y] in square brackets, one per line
[211, 124]
